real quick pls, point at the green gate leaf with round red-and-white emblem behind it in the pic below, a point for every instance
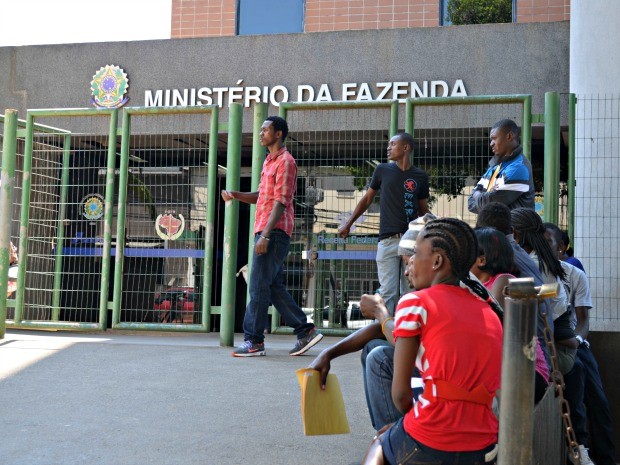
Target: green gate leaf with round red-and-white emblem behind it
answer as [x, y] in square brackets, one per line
[166, 207]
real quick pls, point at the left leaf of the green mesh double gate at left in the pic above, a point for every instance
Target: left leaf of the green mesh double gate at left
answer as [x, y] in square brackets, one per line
[60, 284]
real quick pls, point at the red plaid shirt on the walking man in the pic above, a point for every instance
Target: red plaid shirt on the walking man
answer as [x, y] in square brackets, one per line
[278, 182]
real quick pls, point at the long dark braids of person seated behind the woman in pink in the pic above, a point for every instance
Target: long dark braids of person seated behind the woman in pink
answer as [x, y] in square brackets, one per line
[528, 224]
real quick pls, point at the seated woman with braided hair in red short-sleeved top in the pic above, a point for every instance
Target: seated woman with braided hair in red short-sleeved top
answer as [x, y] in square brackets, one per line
[452, 335]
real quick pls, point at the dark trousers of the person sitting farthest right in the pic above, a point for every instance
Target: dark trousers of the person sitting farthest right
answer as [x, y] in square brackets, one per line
[589, 406]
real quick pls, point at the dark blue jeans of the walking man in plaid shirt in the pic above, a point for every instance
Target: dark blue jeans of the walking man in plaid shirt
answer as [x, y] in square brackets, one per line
[267, 287]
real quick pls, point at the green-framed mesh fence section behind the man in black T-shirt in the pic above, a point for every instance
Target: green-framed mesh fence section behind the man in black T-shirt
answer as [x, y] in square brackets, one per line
[337, 146]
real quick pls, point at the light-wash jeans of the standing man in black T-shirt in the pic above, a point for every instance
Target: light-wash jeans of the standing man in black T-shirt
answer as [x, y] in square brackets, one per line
[390, 269]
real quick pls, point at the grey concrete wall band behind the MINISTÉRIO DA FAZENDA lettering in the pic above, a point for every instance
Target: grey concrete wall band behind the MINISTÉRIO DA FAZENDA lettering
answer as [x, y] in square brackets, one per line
[490, 59]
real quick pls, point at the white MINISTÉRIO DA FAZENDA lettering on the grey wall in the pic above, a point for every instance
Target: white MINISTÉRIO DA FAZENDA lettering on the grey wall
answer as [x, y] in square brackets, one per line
[351, 91]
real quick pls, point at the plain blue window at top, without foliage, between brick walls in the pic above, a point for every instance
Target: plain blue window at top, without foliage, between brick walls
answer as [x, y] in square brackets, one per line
[270, 16]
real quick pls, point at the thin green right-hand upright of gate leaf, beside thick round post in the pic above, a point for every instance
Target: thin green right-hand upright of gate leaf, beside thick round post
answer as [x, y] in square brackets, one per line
[212, 200]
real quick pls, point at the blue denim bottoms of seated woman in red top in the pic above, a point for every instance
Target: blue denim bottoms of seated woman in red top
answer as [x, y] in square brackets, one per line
[400, 448]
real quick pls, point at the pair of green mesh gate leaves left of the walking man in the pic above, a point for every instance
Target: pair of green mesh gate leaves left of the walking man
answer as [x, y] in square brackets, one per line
[96, 241]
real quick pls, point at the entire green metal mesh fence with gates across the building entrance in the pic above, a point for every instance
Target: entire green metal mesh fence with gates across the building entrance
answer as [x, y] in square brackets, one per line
[125, 228]
